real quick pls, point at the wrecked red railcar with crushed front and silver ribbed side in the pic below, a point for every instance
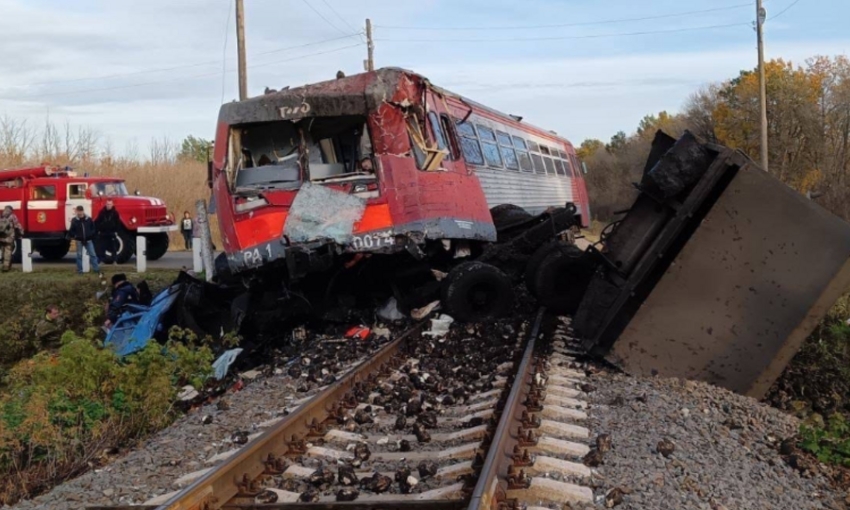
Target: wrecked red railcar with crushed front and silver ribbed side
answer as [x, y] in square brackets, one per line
[381, 166]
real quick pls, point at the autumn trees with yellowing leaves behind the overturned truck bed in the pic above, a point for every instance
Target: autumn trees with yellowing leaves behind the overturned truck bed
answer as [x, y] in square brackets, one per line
[808, 115]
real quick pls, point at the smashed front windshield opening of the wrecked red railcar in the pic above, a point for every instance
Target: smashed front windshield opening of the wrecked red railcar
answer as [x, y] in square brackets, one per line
[283, 154]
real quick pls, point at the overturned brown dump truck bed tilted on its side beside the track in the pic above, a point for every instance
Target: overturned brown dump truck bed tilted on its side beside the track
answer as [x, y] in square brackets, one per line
[718, 272]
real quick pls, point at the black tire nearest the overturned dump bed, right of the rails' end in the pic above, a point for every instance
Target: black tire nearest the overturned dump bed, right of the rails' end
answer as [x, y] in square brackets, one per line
[562, 278]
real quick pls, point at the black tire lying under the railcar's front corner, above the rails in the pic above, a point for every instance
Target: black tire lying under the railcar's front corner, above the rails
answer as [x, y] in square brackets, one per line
[475, 291]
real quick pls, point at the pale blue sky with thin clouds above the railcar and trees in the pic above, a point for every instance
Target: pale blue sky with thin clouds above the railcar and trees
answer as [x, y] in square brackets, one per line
[137, 70]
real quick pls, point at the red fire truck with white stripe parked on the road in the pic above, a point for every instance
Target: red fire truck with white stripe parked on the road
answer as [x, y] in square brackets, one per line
[44, 199]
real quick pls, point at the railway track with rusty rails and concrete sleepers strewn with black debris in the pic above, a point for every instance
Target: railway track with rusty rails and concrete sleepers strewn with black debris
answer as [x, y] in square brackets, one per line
[456, 422]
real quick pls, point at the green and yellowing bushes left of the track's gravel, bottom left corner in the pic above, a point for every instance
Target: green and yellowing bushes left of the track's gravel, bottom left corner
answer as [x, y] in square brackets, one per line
[60, 410]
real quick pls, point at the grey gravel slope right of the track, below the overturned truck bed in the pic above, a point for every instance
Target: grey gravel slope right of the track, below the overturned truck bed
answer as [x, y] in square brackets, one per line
[688, 445]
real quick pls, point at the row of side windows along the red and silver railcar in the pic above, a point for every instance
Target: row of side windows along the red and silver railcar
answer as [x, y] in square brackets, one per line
[481, 145]
